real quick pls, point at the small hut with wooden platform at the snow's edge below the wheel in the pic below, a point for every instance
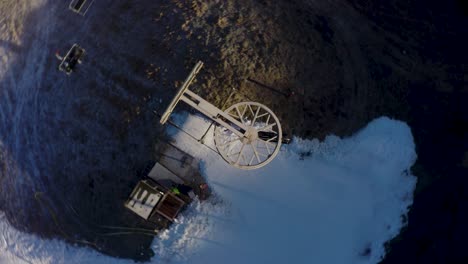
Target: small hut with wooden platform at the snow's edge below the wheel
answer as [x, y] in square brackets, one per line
[170, 184]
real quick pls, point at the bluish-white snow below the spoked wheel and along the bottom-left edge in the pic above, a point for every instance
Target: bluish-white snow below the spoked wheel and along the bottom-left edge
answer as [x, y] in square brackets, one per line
[336, 201]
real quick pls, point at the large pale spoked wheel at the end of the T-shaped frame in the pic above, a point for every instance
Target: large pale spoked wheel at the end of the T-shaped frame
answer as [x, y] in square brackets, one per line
[261, 141]
